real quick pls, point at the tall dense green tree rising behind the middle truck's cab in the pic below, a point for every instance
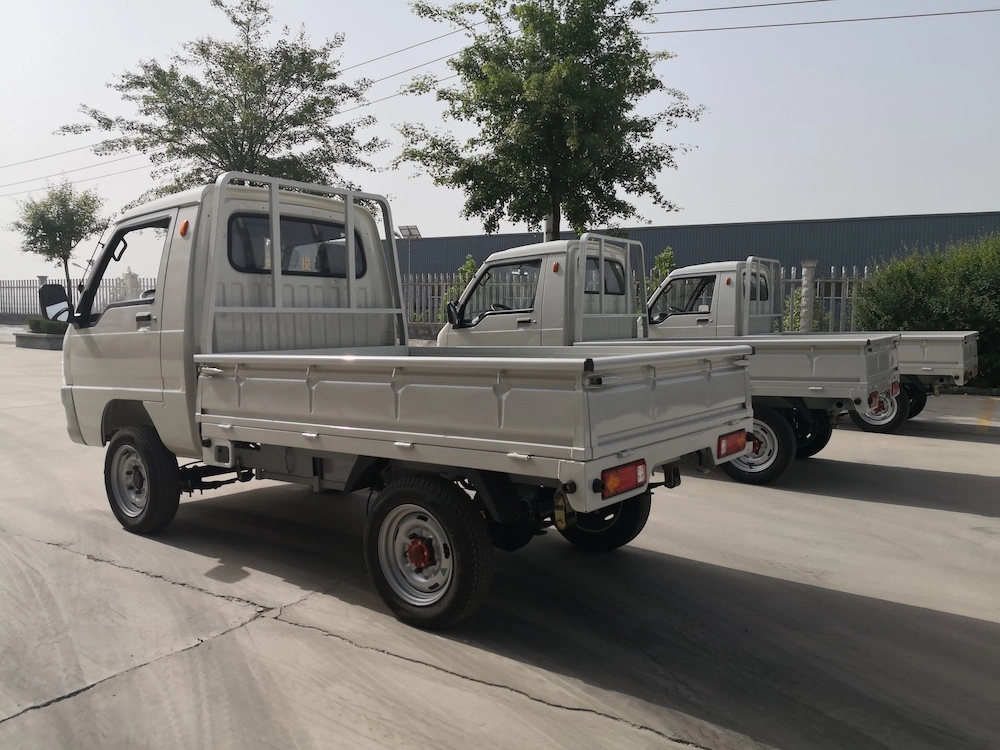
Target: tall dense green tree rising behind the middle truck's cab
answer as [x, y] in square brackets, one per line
[553, 88]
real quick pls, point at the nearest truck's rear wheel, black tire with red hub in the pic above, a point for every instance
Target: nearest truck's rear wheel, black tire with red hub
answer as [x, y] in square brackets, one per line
[447, 534]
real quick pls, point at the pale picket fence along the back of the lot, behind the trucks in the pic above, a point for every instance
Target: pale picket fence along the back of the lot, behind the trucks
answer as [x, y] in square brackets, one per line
[424, 296]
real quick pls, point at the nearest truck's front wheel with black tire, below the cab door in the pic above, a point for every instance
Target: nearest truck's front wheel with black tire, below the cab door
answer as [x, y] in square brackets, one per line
[142, 480]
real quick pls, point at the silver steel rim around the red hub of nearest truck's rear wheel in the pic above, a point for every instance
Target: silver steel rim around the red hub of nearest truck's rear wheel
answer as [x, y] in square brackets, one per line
[419, 587]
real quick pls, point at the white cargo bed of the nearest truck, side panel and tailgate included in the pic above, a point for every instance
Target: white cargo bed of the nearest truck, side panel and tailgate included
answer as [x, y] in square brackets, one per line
[503, 409]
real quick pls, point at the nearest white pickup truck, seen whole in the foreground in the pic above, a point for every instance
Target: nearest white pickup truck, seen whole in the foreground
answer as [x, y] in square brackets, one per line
[274, 346]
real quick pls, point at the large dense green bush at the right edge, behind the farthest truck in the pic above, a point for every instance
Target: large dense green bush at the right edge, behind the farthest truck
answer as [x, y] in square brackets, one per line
[957, 289]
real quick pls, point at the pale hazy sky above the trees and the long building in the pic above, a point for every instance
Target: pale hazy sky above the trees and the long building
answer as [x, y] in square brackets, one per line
[858, 119]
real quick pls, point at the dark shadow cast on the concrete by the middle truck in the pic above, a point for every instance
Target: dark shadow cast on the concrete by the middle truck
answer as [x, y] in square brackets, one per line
[916, 488]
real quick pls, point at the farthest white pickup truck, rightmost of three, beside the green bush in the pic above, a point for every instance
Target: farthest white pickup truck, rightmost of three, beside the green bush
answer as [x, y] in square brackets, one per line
[705, 303]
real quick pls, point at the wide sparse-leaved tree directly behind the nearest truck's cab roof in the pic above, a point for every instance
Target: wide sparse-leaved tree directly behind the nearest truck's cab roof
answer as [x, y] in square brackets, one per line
[248, 104]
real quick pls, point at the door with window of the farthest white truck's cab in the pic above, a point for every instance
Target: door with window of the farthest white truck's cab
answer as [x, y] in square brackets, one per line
[687, 307]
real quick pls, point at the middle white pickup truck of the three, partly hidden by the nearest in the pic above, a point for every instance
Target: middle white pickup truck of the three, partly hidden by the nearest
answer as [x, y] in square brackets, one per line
[547, 295]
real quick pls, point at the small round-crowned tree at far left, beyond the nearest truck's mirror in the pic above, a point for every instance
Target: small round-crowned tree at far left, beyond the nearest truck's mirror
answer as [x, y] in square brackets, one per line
[53, 225]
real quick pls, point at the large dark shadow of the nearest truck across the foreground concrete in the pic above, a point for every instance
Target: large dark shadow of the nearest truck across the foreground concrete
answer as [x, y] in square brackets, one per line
[787, 664]
